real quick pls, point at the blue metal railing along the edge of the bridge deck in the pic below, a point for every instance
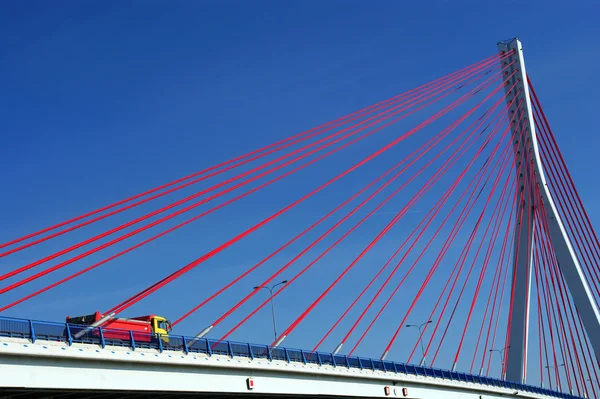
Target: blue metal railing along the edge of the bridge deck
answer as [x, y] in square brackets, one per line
[68, 333]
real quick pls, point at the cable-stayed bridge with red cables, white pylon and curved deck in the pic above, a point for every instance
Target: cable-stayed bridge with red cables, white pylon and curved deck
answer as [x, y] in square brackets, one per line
[501, 265]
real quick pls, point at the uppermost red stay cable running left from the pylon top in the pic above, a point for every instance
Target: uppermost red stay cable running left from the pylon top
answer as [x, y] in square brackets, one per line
[470, 68]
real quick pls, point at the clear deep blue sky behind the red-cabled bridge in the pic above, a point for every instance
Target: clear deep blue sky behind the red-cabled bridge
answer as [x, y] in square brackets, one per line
[101, 100]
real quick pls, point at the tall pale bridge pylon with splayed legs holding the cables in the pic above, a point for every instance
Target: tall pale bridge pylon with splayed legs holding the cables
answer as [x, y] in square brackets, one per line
[516, 357]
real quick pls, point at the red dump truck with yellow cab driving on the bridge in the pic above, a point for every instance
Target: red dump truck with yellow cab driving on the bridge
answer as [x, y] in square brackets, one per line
[143, 328]
